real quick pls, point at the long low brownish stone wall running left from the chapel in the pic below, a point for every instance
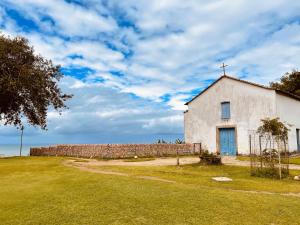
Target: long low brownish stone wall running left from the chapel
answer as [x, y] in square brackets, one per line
[114, 151]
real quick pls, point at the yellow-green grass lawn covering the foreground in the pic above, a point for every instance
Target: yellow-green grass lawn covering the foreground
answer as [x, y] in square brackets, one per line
[42, 191]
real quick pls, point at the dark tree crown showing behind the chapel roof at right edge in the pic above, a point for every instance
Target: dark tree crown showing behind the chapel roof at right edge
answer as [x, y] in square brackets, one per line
[290, 82]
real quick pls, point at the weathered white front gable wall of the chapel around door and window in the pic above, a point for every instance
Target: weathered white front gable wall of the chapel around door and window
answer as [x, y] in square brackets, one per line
[248, 105]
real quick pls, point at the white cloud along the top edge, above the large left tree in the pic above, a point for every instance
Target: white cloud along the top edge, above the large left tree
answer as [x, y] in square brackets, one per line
[69, 19]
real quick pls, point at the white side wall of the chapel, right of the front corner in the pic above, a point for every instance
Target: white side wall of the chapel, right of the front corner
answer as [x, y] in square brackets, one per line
[288, 110]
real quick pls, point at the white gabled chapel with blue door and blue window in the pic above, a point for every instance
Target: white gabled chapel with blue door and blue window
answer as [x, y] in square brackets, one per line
[221, 116]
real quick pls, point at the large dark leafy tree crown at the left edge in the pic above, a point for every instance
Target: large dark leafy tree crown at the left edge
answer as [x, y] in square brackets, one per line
[28, 84]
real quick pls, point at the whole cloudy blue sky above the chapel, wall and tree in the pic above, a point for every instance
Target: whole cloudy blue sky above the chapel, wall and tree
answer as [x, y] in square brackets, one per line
[132, 64]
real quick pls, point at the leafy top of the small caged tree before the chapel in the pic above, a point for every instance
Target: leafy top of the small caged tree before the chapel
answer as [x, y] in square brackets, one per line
[274, 127]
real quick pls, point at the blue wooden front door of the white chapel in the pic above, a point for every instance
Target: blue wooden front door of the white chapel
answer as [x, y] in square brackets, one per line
[227, 141]
